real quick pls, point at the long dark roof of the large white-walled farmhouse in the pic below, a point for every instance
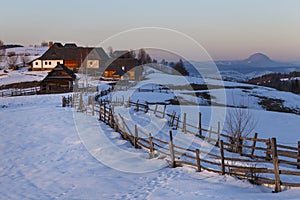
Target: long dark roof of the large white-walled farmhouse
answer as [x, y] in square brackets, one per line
[71, 52]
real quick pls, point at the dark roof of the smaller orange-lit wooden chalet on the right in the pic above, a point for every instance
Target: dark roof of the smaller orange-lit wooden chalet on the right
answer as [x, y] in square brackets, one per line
[116, 64]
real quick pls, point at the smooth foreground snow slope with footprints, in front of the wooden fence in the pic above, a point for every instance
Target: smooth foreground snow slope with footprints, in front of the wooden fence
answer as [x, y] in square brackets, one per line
[42, 157]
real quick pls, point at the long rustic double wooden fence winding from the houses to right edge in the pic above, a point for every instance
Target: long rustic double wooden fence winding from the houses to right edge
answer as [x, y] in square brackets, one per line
[261, 161]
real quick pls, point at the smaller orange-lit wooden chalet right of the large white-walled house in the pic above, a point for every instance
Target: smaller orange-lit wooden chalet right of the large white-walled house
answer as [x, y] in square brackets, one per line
[122, 66]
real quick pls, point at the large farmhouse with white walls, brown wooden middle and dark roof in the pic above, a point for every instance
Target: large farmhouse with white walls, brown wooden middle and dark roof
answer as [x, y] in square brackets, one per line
[71, 56]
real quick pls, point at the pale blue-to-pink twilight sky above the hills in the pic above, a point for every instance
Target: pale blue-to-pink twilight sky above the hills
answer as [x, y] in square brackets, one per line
[227, 29]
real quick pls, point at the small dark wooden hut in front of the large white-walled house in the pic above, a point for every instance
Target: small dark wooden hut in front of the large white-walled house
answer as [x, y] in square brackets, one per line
[59, 80]
